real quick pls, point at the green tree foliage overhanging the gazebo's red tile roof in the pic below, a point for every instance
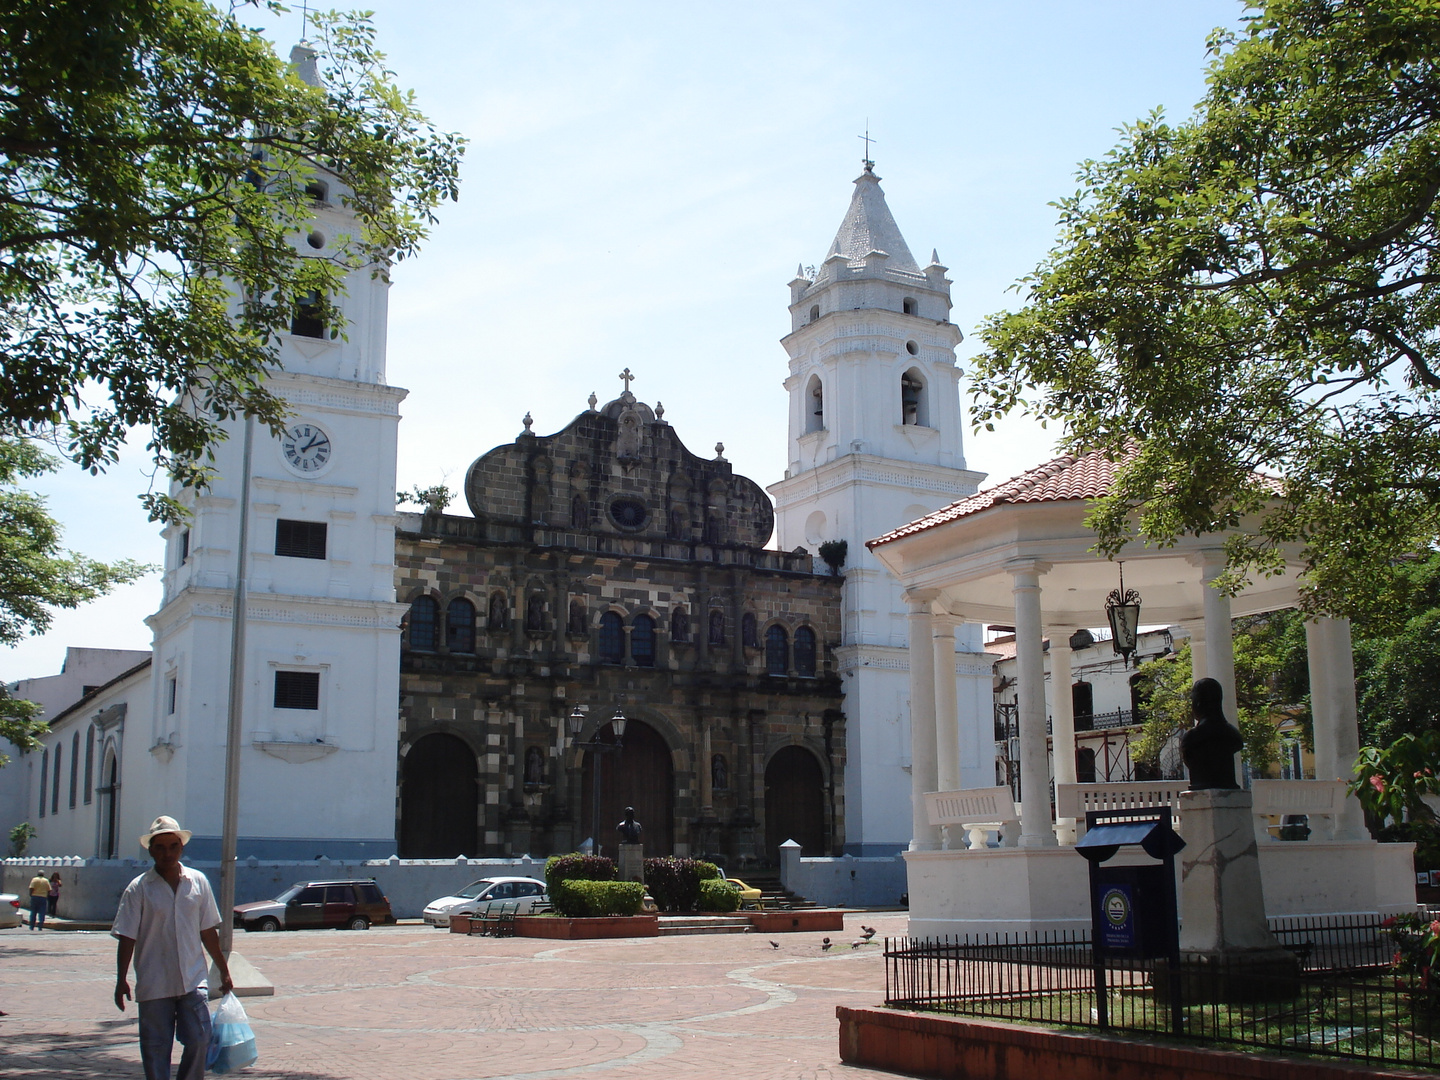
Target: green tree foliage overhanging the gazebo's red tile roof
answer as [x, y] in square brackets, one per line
[1249, 303]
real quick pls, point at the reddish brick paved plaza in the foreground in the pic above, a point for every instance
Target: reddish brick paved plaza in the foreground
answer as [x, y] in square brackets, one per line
[417, 1004]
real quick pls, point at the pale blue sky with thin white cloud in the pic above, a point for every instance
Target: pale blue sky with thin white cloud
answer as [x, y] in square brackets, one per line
[642, 182]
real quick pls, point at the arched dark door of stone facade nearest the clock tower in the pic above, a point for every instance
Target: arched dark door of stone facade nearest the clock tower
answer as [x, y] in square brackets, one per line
[440, 800]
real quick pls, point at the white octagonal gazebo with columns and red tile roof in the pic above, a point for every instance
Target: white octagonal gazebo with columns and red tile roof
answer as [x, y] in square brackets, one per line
[1020, 554]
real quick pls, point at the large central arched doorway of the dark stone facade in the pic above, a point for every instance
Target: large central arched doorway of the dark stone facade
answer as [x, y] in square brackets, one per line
[640, 775]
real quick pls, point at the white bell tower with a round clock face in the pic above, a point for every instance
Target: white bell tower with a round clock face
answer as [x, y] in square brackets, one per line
[322, 650]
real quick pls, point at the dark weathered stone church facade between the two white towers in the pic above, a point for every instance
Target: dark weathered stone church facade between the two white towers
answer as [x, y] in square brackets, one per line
[608, 568]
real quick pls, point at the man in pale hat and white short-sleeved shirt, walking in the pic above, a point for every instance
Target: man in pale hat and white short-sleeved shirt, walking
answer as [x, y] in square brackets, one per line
[168, 922]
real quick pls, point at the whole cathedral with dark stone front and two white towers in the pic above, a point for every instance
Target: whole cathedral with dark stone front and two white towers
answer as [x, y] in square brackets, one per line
[610, 627]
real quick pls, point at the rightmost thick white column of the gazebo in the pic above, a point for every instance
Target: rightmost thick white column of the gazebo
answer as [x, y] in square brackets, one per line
[1336, 715]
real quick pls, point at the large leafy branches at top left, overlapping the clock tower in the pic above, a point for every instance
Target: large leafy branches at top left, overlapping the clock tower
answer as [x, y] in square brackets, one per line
[155, 161]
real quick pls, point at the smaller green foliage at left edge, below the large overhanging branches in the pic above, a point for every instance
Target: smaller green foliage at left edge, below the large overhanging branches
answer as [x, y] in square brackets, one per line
[37, 575]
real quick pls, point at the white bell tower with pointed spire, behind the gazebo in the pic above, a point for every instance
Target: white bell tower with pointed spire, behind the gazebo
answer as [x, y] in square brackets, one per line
[876, 443]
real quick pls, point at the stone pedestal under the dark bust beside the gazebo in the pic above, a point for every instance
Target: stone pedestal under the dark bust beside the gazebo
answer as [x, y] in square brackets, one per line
[1228, 950]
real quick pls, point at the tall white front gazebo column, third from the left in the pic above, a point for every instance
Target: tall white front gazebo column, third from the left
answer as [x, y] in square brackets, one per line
[1030, 663]
